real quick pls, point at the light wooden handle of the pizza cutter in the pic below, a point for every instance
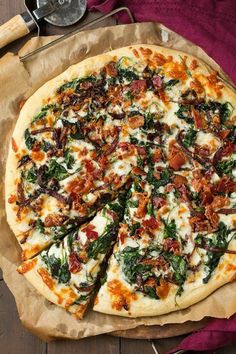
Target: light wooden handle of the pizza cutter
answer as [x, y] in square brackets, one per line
[13, 29]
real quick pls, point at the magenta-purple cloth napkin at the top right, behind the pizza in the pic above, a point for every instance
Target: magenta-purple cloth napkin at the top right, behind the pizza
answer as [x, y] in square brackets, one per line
[211, 24]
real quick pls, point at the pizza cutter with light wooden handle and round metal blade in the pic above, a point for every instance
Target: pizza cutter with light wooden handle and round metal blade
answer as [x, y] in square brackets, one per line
[57, 12]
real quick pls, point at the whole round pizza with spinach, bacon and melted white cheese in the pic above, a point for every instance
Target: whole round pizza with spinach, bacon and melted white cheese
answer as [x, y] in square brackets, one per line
[120, 183]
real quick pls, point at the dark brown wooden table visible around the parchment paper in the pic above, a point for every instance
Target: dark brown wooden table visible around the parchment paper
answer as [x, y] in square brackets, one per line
[14, 339]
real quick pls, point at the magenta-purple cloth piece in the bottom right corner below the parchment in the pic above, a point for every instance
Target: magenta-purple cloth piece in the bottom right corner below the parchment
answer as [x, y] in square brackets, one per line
[218, 333]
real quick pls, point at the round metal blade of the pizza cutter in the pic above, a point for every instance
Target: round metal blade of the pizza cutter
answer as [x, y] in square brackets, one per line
[67, 12]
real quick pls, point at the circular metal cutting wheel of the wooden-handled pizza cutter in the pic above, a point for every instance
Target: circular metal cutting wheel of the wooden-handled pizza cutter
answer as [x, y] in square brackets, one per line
[60, 12]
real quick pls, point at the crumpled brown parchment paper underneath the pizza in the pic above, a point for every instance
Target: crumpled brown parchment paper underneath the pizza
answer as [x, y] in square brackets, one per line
[17, 82]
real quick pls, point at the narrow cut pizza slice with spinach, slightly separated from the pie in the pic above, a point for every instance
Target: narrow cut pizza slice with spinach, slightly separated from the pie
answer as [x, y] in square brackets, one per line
[67, 272]
